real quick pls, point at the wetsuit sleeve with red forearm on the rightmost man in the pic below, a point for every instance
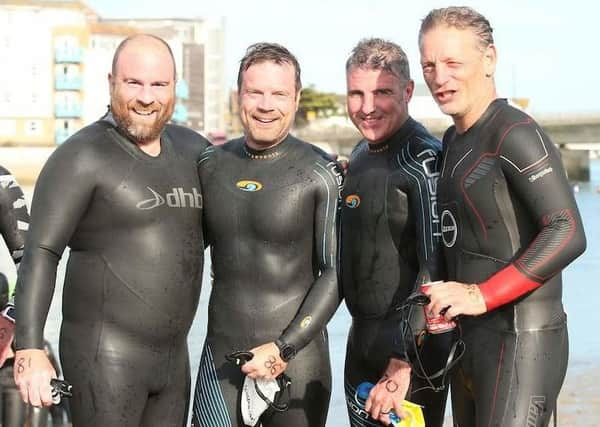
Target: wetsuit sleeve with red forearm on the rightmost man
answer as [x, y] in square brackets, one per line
[536, 178]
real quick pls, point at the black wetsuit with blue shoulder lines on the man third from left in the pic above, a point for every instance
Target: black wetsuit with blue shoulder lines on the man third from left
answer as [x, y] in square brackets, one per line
[390, 243]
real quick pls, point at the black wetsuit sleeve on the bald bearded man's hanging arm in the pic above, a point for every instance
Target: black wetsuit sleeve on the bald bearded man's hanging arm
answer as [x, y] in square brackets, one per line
[62, 193]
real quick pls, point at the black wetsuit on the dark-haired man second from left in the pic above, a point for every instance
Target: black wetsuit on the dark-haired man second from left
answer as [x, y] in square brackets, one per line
[271, 222]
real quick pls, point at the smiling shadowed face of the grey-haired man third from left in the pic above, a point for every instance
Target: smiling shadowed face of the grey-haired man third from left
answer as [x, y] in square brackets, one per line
[377, 102]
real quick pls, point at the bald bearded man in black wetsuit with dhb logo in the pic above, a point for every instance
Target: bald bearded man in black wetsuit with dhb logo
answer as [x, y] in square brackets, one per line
[123, 194]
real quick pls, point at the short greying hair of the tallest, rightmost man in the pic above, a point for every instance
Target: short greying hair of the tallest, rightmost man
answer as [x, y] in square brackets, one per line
[460, 17]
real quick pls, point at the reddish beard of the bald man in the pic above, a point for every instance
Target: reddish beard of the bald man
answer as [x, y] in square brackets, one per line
[137, 130]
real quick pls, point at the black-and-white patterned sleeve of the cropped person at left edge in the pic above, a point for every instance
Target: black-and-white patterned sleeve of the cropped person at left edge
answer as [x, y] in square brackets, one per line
[14, 218]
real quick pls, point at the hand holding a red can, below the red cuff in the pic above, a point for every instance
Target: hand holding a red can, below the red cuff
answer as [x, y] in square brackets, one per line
[455, 298]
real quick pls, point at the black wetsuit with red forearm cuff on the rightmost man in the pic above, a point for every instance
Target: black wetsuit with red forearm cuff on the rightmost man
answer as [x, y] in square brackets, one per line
[509, 224]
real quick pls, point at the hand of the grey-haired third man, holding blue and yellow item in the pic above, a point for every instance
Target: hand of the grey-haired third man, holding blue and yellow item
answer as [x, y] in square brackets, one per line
[389, 393]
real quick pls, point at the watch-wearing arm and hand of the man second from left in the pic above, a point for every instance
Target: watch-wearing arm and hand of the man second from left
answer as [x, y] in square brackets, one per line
[323, 298]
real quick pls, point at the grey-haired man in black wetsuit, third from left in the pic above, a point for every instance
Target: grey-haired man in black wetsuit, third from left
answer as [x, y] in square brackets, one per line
[390, 239]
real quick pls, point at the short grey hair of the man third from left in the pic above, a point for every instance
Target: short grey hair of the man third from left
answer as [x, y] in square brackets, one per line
[379, 54]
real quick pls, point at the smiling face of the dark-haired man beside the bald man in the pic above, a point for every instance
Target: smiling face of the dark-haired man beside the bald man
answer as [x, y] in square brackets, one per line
[268, 103]
